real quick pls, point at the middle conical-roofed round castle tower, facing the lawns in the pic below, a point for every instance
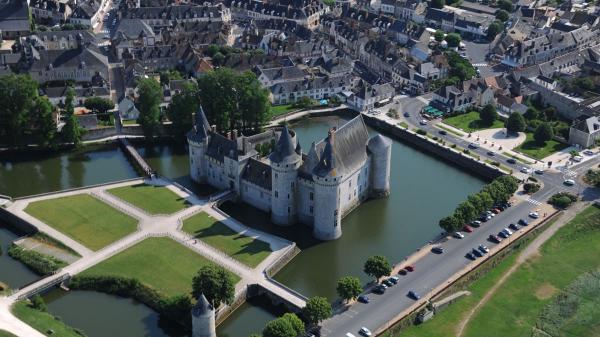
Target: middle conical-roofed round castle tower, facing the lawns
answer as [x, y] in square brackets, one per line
[285, 161]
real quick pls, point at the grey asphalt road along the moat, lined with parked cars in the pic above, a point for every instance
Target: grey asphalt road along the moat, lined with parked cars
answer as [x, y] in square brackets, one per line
[434, 270]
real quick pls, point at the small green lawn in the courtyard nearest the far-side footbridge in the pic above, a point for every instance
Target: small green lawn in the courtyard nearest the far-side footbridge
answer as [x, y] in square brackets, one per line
[152, 199]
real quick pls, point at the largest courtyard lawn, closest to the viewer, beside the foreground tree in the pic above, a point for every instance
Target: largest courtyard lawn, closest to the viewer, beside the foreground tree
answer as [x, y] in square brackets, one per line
[161, 263]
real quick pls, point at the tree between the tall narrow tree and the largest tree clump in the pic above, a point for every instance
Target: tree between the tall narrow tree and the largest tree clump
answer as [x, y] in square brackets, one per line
[182, 107]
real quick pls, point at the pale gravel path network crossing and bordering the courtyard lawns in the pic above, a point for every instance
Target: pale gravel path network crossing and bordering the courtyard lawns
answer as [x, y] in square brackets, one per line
[154, 226]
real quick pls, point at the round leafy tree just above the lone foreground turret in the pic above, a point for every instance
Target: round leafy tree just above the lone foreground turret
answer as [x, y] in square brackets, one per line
[215, 283]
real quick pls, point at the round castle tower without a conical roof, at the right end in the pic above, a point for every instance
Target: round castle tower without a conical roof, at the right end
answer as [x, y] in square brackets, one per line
[381, 156]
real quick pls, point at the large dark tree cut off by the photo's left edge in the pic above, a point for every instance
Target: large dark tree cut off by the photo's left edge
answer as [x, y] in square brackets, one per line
[16, 94]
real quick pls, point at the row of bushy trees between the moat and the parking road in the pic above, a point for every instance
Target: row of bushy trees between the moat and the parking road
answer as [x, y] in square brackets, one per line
[498, 191]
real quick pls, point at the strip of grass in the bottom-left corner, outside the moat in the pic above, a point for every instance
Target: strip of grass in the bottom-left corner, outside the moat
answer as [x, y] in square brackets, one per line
[41, 321]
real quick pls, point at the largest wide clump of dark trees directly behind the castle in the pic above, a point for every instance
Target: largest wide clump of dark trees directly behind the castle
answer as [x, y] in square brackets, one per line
[233, 100]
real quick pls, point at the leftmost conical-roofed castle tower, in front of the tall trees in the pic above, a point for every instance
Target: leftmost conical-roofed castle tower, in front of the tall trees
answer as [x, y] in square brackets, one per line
[198, 139]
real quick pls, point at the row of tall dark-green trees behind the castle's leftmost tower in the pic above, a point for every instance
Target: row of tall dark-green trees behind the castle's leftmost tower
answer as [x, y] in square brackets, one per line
[231, 101]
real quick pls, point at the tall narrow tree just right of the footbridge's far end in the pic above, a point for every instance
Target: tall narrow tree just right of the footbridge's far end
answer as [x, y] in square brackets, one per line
[150, 96]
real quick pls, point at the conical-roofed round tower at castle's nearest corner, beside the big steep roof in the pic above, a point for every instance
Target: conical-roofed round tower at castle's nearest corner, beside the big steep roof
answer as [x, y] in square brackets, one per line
[328, 215]
